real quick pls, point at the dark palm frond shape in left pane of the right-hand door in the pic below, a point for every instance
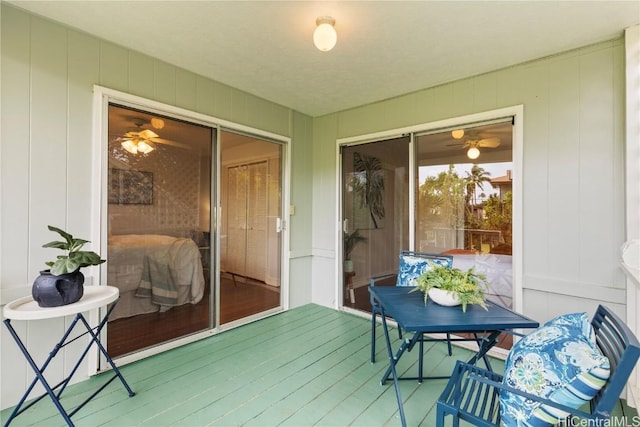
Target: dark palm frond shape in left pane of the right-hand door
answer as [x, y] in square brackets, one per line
[369, 185]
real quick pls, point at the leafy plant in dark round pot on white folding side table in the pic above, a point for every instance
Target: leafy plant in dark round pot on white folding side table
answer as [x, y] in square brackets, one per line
[61, 284]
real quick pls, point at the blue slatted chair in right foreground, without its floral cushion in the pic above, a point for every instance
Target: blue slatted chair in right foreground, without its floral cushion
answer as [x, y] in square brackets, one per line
[472, 393]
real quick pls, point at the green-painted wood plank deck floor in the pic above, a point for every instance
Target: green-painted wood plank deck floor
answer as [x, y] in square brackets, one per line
[305, 367]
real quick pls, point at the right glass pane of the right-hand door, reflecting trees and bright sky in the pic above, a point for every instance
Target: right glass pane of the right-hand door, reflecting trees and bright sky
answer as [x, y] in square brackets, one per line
[464, 200]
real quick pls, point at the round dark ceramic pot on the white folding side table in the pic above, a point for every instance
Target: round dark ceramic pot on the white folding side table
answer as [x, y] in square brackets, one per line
[53, 291]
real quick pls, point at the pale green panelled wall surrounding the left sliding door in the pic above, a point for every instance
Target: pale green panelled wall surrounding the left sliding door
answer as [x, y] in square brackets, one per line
[46, 164]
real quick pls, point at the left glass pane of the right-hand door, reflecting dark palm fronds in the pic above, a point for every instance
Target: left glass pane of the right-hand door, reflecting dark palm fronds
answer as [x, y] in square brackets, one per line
[375, 212]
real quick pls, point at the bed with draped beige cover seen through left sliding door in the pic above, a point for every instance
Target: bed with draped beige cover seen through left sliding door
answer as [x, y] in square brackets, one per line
[128, 260]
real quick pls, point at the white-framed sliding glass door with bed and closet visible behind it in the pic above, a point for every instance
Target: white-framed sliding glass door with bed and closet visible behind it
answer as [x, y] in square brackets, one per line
[193, 227]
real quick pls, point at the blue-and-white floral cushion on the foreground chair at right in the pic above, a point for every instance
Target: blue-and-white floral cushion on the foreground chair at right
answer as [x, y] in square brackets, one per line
[559, 361]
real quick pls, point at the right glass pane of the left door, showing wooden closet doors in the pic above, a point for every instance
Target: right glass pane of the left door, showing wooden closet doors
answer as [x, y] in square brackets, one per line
[250, 235]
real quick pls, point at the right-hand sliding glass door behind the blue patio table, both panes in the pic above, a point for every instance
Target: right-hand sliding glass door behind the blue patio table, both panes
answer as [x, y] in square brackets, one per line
[445, 191]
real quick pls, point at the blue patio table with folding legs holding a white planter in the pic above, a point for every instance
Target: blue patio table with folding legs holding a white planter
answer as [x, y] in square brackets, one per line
[416, 318]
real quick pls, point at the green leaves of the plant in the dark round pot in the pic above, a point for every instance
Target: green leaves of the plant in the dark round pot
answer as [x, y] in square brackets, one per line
[74, 258]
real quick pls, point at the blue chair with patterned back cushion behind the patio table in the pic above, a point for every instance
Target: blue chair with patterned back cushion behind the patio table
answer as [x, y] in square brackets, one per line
[411, 265]
